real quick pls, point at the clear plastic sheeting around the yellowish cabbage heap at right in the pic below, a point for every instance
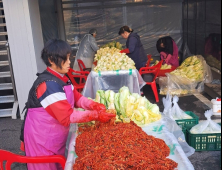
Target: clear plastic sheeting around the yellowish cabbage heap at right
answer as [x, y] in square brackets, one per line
[179, 84]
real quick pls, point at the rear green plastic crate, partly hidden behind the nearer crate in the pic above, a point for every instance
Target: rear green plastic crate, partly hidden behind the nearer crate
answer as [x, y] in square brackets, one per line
[184, 122]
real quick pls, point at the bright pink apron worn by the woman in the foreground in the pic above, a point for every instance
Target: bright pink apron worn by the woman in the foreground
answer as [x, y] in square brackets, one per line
[45, 136]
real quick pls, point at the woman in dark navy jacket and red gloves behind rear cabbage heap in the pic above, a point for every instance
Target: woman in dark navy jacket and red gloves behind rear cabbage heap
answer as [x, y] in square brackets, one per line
[134, 46]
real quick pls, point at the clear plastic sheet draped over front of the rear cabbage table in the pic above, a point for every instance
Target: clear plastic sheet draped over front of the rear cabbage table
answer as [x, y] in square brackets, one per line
[107, 81]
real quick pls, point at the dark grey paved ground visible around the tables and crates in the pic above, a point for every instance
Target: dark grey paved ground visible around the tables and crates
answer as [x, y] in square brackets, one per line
[10, 131]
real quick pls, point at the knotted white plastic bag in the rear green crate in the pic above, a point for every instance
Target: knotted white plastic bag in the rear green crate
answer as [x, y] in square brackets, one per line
[177, 113]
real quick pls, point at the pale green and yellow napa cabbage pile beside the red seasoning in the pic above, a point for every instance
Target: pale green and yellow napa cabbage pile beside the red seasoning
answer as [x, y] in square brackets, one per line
[129, 106]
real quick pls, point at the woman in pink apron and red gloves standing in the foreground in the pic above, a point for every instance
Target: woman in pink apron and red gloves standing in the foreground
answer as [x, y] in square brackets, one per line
[50, 107]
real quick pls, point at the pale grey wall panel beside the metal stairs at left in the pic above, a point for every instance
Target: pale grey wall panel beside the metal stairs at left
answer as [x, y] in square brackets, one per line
[26, 43]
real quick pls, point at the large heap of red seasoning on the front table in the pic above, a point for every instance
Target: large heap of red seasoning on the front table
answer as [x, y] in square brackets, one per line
[120, 147]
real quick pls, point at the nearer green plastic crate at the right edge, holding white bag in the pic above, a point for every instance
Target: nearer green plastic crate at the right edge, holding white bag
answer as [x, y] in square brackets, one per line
[204, 142]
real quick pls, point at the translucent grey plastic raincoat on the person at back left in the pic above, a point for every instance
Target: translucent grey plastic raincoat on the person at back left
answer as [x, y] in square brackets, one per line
[86, 52]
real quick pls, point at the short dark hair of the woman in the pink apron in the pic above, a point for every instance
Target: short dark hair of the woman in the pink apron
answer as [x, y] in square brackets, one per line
[56, 51]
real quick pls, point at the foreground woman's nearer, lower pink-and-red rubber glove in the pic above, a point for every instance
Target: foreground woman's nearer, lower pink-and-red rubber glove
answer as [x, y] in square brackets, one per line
[88, 116]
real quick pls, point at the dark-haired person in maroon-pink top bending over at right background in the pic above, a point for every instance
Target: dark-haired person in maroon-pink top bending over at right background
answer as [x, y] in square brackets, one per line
[168, 50]
